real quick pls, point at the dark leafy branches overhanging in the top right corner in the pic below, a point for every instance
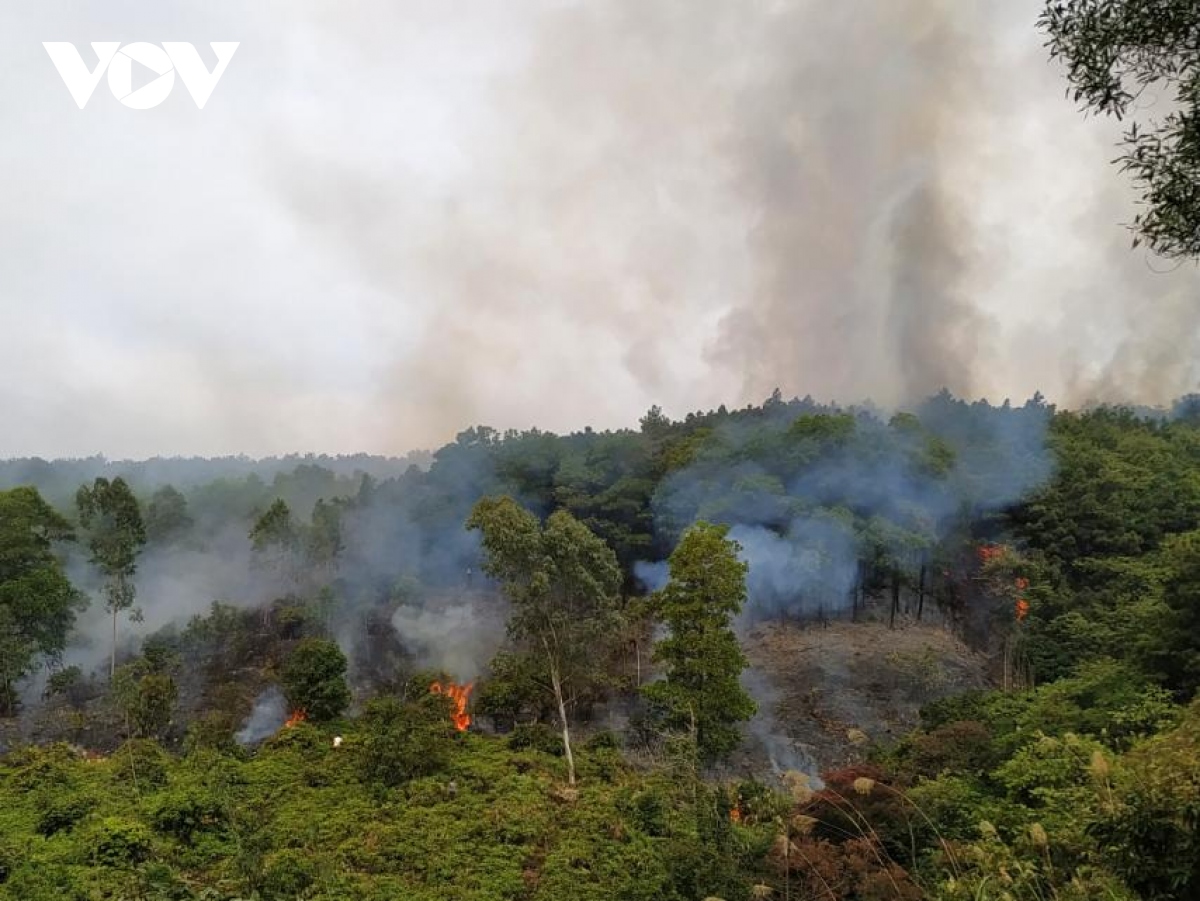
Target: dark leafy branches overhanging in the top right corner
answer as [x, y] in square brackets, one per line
[1115, 52]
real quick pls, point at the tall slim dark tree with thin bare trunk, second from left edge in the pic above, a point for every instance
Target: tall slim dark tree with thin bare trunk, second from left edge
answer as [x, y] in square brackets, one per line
[116, 536]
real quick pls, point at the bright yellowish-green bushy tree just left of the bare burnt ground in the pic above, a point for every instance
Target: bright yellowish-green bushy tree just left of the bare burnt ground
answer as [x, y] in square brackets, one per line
[701, 656]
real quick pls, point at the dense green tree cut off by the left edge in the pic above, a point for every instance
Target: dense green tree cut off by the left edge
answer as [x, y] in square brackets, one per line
[38, 602]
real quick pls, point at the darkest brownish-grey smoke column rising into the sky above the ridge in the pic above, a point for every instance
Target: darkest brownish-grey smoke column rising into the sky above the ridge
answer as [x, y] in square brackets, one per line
[862, 250]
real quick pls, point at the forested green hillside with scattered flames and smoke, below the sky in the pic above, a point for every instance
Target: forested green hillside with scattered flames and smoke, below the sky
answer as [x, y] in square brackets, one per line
[783, 652]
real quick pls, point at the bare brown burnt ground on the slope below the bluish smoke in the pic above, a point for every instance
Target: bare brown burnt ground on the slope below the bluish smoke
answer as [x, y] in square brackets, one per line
[829, 693]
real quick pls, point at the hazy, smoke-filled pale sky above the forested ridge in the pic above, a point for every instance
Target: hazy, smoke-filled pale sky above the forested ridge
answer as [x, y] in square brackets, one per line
[398, 219]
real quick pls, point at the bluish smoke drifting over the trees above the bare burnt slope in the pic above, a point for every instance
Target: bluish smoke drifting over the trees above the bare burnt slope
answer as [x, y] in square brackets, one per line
[806, 534]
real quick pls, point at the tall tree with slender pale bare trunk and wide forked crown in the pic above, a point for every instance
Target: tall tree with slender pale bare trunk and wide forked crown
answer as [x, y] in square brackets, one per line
[563, 582]
